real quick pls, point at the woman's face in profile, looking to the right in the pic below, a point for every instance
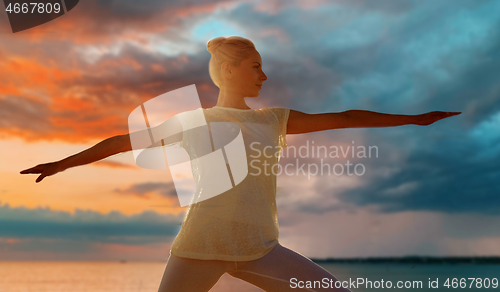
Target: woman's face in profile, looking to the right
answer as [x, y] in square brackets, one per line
[248, 77]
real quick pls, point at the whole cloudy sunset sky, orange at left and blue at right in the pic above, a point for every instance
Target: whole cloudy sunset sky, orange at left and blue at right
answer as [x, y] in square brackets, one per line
[429, 190]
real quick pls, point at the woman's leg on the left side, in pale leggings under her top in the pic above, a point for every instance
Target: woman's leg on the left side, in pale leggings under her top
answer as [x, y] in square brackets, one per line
[190, 275]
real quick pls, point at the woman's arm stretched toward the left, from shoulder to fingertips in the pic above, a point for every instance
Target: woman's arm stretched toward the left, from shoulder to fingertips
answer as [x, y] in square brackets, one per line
[170, 131]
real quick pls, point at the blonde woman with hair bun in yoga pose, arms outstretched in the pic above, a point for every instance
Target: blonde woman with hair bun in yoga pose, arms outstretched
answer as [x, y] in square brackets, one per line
[237, 231]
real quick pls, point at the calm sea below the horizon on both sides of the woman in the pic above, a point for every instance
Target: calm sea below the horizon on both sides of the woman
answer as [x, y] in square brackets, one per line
[146, 276]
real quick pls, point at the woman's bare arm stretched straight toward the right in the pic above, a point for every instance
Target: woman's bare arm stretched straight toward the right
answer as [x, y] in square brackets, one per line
[299, 122]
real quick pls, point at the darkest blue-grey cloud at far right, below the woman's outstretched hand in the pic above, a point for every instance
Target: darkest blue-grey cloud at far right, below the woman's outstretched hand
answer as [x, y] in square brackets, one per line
[448, 175]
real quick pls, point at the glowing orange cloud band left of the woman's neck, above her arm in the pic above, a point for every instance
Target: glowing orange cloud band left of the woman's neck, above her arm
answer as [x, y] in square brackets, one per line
[88, 108]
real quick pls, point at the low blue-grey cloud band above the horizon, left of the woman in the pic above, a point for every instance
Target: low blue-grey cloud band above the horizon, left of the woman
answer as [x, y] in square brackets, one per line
[87, 225]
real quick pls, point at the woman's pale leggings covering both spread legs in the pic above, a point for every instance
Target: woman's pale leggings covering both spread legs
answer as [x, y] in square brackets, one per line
[271, 273]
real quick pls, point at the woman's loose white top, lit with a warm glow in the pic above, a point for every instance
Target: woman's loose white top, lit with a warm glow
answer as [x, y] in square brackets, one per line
[240, 224]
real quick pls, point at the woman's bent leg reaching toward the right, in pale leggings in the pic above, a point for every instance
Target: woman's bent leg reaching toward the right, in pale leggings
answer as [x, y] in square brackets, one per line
[274, 272]
